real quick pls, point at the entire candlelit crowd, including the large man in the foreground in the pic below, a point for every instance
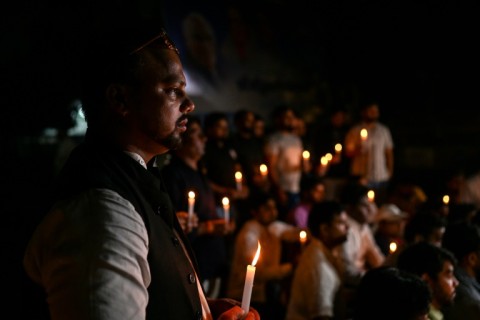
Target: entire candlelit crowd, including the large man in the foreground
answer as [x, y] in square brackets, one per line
[160, 210]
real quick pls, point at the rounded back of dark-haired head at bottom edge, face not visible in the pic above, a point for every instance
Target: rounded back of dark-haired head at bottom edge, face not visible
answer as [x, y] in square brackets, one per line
[388, 292]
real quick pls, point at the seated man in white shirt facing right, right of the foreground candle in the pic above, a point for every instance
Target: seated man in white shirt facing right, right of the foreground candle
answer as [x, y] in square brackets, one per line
[316, 287]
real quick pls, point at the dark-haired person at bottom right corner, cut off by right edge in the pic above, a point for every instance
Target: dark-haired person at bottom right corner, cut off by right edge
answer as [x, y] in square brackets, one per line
[463, 240]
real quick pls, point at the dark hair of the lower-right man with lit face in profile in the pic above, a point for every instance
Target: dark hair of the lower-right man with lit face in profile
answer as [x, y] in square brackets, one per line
[423, 257]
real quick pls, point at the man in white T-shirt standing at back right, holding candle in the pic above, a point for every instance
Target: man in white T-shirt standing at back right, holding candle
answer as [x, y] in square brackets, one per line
[369, 145]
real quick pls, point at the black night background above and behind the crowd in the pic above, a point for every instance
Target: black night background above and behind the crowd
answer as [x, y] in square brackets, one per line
[420, 58]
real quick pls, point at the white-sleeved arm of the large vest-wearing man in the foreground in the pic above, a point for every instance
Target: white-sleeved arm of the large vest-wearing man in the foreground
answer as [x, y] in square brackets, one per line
[87, 249]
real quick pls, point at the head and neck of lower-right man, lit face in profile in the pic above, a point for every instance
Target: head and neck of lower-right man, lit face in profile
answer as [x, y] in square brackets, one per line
[435, 265]
